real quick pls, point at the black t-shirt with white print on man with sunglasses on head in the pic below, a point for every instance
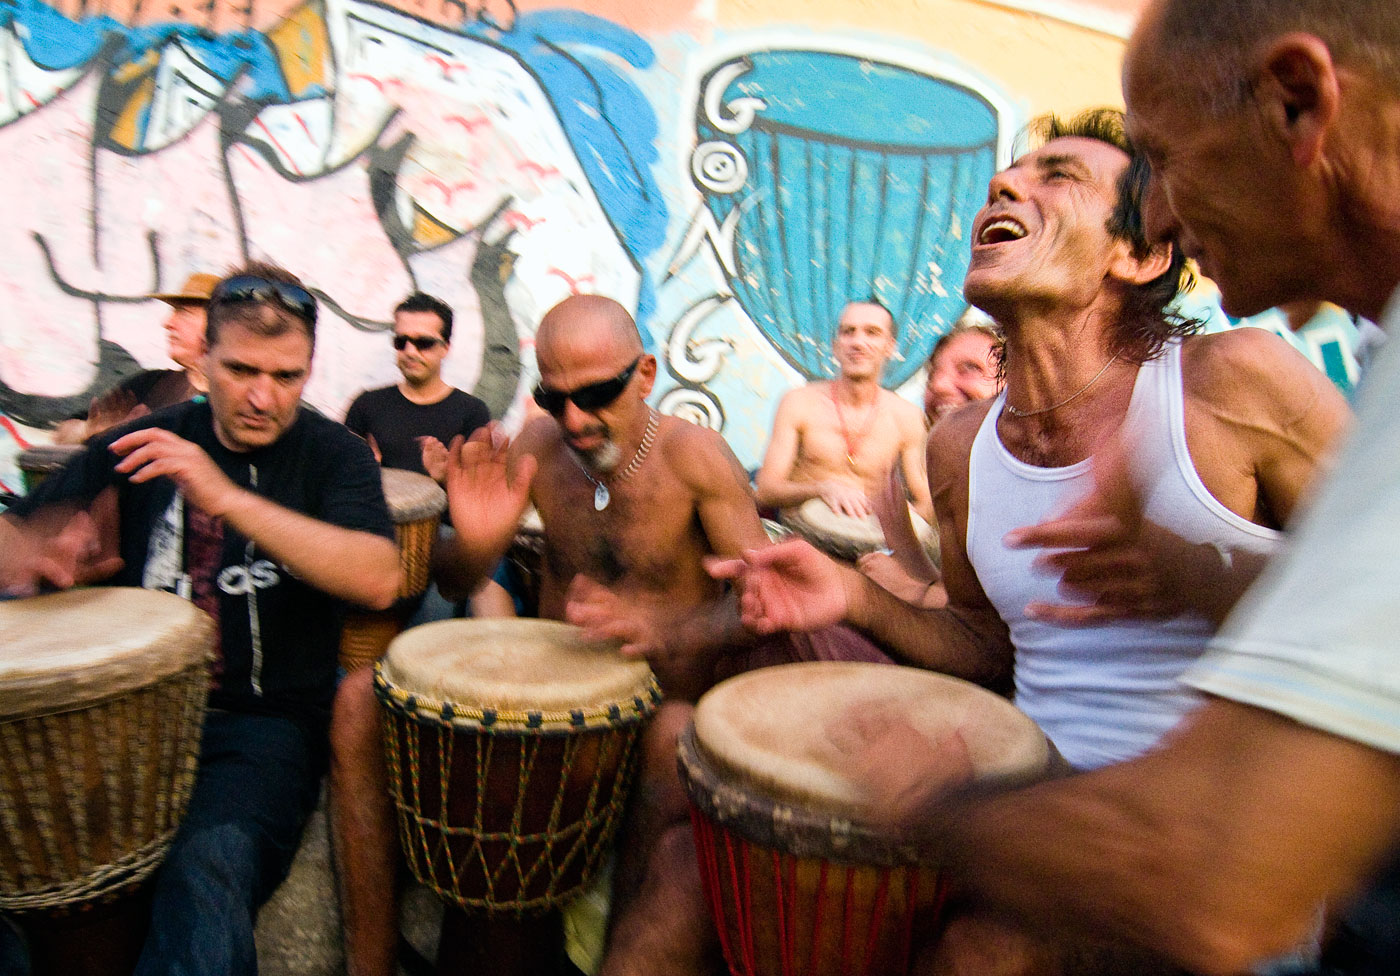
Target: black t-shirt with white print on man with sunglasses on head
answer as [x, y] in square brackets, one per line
[278, 635]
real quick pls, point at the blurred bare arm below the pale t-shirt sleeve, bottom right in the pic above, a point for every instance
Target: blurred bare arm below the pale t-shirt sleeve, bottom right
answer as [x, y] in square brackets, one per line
[1216, 851]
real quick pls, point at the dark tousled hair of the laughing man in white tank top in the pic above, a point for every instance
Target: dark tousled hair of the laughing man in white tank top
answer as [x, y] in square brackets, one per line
[1146, 319]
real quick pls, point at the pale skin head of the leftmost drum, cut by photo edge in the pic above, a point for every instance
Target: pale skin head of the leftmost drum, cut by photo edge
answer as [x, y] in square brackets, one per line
[72, 649]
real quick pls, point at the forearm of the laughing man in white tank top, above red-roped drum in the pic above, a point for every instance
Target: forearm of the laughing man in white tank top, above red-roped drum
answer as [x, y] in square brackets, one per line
[960, 642]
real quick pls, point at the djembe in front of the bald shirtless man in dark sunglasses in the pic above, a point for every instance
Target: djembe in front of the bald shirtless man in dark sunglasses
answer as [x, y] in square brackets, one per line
[510, 746]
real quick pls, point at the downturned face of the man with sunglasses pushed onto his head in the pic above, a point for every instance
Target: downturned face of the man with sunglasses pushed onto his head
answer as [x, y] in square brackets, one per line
[255, 384]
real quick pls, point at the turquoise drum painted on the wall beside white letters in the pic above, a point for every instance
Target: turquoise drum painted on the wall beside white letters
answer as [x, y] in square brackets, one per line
[843, 179]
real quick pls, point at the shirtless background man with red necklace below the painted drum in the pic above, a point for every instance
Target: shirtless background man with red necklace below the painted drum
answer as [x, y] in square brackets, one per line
[836, 440]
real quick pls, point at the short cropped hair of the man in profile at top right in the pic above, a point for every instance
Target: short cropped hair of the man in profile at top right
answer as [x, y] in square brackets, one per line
[1212, 41]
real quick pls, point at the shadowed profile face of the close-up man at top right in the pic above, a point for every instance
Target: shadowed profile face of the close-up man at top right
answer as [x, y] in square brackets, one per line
[1220, 186]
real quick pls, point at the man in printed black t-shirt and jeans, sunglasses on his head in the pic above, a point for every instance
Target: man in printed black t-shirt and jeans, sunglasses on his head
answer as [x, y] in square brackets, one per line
[268, 517]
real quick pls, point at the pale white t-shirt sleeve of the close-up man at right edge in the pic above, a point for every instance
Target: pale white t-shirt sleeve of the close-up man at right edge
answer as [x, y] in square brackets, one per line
[1318, 638]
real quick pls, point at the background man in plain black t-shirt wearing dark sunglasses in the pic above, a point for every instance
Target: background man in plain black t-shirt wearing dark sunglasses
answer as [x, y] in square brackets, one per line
[411, 425]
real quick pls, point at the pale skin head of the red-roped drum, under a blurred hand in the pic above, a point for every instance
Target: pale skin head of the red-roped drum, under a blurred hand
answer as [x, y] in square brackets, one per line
[789, 733]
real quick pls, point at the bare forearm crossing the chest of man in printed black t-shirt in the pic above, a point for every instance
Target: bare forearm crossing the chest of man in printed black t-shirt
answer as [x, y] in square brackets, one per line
[348, 564]
